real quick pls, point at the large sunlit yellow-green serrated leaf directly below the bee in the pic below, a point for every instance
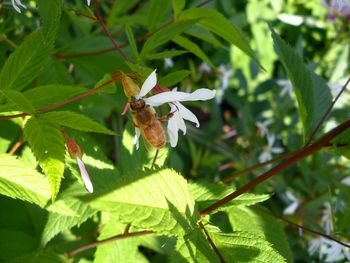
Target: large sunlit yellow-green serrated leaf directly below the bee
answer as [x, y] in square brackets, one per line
[153, 200]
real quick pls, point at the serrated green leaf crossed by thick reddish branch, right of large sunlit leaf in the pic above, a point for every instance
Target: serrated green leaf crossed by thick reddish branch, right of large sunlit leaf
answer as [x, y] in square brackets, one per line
[207, 194]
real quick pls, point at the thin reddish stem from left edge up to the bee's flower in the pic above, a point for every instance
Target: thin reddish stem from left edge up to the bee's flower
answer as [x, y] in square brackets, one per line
[54, 106]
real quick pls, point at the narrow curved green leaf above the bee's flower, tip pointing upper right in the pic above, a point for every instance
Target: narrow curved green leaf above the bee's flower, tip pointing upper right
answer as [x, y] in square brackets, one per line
[166, 34]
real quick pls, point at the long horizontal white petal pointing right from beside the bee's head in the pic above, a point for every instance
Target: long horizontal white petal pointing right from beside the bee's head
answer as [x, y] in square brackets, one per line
[171, 96]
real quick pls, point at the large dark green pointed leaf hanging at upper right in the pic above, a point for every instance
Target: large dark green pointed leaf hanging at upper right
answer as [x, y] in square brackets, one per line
[312, 93]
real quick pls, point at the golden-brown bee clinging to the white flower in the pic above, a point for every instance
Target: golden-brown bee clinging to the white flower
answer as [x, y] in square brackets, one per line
[146, 120]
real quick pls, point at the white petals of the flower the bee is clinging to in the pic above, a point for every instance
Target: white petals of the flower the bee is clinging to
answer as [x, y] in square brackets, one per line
[179, 112]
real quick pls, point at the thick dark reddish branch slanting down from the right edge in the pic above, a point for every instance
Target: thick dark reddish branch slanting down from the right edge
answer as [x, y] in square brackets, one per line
[295, 157]
